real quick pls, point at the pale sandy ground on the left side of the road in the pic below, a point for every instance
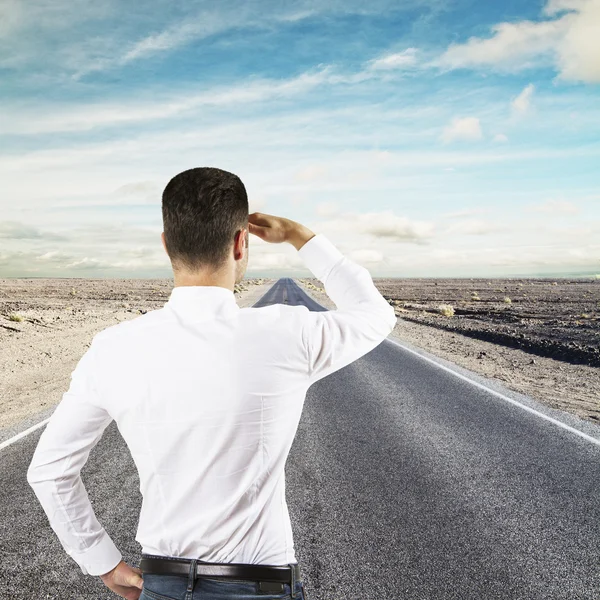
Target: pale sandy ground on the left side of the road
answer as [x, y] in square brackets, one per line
[60, 318]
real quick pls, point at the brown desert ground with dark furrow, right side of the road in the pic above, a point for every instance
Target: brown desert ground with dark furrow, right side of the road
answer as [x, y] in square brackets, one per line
[535, 345]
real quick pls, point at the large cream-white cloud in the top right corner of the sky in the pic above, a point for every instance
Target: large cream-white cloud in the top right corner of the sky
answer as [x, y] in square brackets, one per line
[570, 42]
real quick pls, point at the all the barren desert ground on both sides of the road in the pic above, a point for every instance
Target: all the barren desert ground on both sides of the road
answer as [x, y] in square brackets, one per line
[544, 341]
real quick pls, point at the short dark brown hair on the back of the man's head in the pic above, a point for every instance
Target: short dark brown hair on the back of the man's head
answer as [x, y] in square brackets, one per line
[202, 210]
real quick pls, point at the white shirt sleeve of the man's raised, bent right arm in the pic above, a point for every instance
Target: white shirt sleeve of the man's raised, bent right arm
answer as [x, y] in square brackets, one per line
[363, 319]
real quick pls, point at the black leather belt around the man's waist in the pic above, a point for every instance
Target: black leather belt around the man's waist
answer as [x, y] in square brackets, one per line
[151, 563]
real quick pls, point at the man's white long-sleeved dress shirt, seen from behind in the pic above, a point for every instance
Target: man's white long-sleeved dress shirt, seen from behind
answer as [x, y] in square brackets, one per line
[207, 396]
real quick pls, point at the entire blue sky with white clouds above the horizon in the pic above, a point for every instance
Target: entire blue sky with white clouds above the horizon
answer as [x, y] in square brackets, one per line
[424, 138]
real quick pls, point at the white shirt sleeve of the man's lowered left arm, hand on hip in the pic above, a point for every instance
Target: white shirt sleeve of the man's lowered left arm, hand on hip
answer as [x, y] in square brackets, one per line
[75, 427]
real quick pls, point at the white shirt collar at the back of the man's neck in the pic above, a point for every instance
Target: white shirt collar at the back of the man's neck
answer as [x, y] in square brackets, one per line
[202, 301]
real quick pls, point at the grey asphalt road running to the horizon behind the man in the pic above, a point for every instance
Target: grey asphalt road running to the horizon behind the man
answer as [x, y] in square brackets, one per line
[403, 482]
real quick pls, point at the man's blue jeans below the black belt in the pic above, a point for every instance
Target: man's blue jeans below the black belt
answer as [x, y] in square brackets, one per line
[181, 587]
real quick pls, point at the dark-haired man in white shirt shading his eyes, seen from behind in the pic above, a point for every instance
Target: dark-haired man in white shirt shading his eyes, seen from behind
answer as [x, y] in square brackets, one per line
[208, 398]
